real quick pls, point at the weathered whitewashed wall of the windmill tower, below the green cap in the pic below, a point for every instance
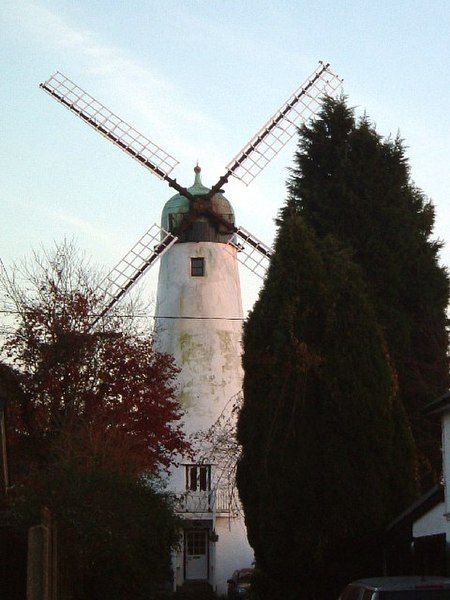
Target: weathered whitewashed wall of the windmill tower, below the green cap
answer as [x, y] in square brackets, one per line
[208, 352]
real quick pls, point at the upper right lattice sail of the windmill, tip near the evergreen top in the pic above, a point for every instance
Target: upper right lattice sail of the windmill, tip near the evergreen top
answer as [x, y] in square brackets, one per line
[282, 126]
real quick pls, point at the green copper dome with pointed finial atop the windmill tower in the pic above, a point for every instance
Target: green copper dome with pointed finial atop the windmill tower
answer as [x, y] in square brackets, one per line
[179, 205]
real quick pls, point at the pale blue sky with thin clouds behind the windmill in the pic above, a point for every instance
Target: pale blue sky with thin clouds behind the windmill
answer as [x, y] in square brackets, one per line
[199, 78]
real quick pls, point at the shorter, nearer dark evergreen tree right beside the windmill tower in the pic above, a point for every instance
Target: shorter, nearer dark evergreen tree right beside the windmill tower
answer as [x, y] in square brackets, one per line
[327, 455]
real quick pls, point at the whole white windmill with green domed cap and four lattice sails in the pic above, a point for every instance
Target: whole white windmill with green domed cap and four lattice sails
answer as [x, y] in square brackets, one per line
[199, 310]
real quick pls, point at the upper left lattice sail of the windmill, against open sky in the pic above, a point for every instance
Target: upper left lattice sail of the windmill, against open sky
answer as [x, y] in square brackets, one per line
[123, 135]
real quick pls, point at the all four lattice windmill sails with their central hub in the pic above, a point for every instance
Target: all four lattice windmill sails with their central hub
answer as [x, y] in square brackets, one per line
[245, 166]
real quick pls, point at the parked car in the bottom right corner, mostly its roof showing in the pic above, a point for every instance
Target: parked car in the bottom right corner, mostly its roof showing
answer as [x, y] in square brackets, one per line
[398, 588]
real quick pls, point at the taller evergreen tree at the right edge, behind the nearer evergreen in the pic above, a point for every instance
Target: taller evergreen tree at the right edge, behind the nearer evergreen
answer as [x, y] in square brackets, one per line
[351, 184]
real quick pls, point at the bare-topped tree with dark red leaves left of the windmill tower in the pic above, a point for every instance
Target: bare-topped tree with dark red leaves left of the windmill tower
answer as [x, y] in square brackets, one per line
[102, 398]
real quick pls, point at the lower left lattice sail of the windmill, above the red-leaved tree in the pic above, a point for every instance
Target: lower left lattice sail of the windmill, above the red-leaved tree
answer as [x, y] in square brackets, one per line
[151, 246]
